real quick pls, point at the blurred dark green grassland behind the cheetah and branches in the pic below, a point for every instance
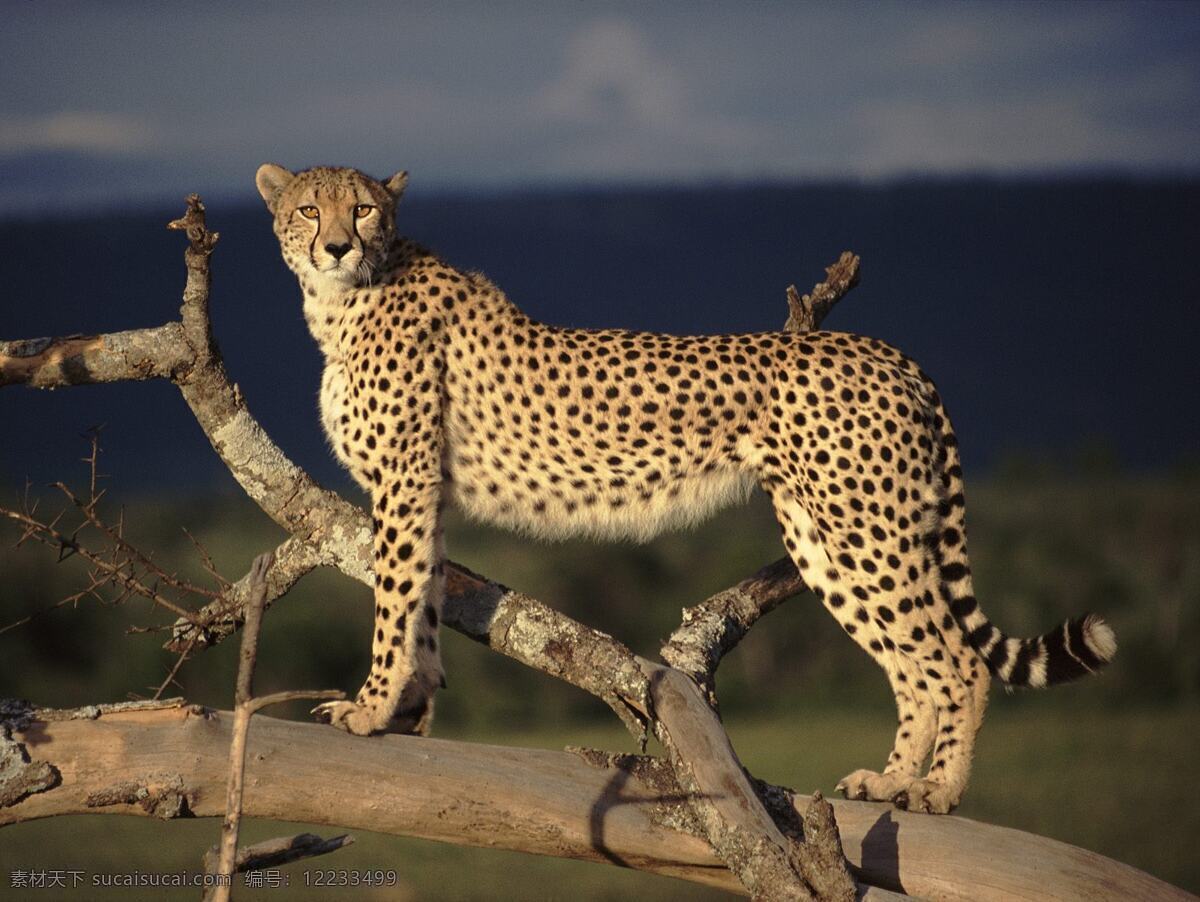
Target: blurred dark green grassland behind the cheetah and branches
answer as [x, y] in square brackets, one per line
[1095, 763]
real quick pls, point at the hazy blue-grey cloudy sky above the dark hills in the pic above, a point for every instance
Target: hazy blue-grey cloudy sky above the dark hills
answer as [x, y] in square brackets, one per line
[123, 101]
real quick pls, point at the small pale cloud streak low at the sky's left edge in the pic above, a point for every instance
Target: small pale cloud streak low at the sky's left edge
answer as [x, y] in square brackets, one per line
[111, 134]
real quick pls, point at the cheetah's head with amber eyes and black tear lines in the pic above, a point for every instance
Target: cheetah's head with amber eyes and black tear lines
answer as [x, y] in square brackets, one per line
[335, 226]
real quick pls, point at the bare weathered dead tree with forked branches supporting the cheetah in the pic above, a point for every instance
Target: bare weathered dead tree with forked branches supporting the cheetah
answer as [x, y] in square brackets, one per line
[695, 814]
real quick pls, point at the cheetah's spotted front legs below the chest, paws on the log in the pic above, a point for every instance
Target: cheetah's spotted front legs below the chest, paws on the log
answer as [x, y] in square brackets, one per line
[406, 668]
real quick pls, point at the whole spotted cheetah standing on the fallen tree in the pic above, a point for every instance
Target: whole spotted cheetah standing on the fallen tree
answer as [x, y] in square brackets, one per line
[437, 390]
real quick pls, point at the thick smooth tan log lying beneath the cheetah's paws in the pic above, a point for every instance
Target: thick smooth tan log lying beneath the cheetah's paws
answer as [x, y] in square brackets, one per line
[623, 810]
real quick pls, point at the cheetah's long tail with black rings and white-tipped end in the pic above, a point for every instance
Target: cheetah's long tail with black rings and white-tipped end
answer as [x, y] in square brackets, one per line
[1075, 650]
